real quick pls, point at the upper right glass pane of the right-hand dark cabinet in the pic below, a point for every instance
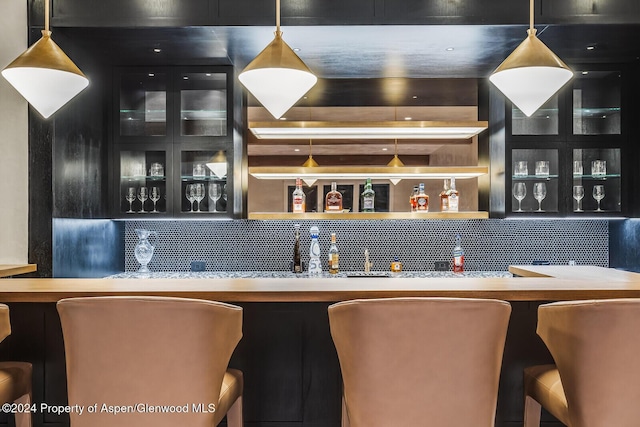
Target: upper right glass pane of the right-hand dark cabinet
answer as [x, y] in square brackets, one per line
[596, 103]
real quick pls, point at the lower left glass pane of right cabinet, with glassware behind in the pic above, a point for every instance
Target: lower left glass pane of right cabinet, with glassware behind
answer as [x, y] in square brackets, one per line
[534, 181]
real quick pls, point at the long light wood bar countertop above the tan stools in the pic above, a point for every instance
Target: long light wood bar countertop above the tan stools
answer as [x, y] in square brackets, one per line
[597, 283]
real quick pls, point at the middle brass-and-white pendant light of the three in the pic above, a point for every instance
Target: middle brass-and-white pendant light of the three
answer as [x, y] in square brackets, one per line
[277, 77]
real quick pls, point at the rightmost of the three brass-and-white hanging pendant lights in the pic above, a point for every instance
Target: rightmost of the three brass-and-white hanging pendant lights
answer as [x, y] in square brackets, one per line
[531, 74]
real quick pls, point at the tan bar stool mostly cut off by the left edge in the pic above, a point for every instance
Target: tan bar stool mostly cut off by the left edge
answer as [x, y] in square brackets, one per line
[15, 377]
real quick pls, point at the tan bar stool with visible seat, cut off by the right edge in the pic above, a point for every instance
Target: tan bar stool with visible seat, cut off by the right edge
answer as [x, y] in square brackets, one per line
[596, 379]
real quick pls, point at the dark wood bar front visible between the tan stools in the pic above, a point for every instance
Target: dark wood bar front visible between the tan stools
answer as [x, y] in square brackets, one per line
[291, 370]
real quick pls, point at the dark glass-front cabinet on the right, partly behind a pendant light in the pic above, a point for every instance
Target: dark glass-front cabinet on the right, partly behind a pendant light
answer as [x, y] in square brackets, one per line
[567, 159]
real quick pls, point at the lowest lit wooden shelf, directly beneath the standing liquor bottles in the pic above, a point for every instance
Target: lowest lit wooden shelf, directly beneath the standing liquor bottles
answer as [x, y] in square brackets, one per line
[366, 215]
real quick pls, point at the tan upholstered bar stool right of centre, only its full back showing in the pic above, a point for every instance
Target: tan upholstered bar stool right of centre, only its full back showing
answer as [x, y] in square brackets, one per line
[418, 362]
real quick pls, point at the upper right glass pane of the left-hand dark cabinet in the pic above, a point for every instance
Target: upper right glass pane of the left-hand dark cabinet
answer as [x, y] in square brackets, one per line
[203, 104]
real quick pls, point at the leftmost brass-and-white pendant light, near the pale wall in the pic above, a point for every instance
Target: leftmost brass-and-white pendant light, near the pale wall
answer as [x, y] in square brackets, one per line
[44, 75]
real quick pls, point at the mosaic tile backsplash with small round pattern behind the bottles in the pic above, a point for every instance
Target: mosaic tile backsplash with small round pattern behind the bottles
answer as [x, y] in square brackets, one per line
[490, 245]
